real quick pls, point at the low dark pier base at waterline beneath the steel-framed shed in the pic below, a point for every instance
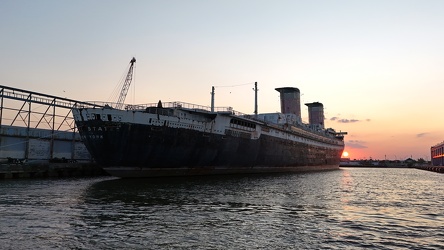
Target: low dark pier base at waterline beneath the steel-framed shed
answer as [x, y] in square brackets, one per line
[49, 170]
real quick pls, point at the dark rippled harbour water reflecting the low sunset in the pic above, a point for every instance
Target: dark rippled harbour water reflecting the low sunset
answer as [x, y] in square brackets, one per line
[350, 208]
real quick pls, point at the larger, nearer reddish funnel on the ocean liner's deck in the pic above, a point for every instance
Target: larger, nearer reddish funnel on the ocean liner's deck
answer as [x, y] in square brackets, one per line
[290, 101]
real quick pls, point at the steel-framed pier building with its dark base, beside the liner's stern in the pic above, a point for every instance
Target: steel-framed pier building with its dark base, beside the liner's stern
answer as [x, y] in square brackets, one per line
[39, 138]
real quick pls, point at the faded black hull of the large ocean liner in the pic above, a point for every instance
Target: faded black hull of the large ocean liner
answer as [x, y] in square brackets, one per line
[136, 150]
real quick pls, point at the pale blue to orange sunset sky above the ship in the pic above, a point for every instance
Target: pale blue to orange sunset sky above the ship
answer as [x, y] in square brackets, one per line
[377, 66]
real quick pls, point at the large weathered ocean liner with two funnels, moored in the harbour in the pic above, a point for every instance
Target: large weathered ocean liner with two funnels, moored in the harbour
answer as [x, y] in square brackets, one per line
[176, 138]
